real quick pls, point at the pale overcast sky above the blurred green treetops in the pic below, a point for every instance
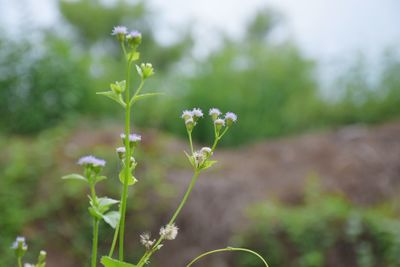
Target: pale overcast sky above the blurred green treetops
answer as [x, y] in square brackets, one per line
[324, 29]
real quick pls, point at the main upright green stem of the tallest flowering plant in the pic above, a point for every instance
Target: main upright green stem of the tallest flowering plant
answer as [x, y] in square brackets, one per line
[127, 168]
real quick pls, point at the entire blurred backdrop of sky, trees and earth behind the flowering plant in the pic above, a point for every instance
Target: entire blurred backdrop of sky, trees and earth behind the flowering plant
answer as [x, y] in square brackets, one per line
[310, 175]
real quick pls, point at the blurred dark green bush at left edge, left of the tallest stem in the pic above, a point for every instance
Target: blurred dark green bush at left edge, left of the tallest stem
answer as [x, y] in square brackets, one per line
[40, 86]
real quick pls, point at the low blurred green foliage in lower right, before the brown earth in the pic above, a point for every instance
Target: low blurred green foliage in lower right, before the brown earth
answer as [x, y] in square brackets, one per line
[324, 231]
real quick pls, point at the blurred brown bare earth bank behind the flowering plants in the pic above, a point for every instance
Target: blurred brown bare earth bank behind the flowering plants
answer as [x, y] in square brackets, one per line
[363, 163]
